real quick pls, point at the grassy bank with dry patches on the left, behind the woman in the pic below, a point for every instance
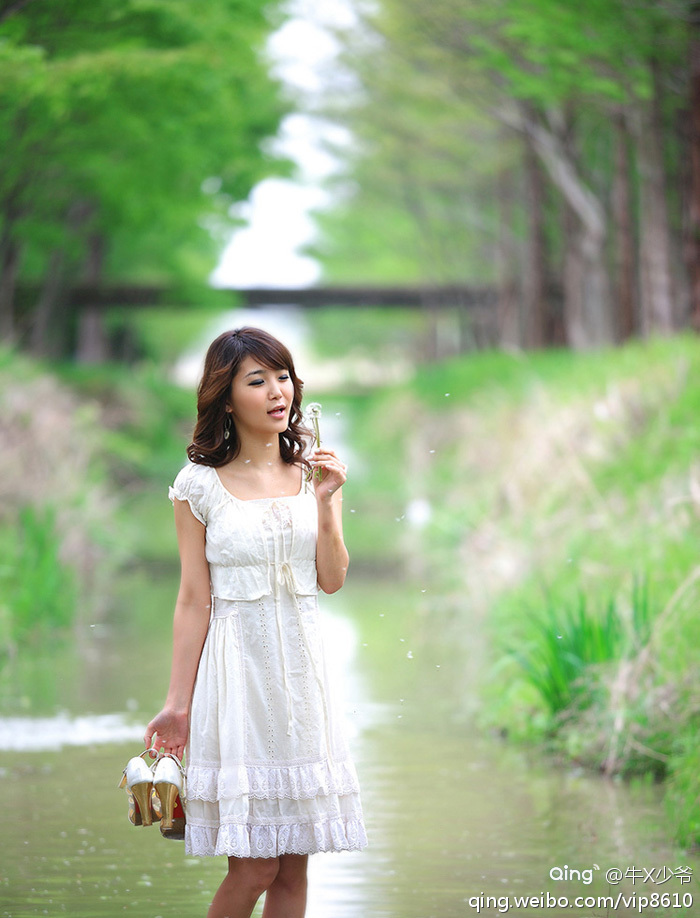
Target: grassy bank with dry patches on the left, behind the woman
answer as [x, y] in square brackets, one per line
[85, 453]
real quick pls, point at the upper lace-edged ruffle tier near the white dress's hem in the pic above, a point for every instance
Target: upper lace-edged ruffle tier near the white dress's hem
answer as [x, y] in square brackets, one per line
[296, 782]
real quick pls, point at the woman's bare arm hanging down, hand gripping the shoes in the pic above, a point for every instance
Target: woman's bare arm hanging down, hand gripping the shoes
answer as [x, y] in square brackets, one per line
[169, 728]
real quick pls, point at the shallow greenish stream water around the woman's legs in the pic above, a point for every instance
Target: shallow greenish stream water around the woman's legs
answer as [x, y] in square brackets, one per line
[452, 816]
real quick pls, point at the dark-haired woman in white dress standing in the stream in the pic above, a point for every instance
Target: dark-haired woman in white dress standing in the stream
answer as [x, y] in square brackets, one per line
[269, 778]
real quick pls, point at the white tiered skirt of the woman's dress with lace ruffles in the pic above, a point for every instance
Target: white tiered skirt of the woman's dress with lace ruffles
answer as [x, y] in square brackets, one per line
[268, 770]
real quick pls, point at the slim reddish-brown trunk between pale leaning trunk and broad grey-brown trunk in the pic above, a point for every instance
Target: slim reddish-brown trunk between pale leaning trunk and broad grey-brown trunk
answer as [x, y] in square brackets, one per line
[625, 293]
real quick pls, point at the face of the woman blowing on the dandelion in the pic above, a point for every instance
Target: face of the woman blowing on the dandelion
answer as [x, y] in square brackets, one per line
[261, 398]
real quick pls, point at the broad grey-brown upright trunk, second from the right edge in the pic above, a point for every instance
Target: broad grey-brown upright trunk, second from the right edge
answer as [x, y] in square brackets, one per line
[656, 292]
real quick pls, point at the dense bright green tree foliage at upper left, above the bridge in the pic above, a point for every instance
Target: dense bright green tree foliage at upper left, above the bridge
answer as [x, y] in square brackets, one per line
[127, 130]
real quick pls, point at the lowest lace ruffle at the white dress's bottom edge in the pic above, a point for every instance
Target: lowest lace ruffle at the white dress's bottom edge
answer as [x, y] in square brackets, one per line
[335, 834]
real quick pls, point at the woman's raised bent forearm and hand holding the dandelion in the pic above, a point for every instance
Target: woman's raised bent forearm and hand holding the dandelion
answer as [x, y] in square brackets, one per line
[331, 554]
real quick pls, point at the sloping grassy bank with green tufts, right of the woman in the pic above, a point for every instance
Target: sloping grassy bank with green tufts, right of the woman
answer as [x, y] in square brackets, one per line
[555, 498]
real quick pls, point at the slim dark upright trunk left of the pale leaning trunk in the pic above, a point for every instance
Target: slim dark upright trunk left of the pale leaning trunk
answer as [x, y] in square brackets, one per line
[535, 275]
